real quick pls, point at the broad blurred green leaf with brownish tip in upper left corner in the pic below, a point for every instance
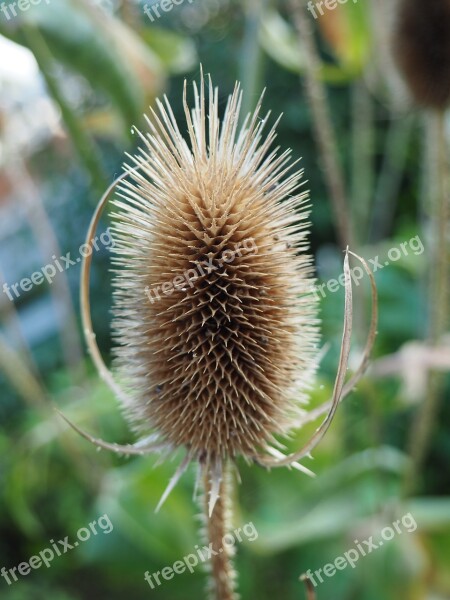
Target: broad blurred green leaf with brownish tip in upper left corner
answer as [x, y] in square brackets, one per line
[106, 52]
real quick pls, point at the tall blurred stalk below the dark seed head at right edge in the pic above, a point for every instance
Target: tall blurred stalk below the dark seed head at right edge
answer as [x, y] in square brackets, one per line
[438, 300]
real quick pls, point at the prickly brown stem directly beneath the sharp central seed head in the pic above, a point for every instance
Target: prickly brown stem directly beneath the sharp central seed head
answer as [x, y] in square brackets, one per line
[222, 582]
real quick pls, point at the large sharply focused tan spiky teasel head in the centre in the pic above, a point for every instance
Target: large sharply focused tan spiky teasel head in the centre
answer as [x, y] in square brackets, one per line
[215, 317]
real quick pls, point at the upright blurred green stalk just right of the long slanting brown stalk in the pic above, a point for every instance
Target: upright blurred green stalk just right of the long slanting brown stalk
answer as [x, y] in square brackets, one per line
[363, 147]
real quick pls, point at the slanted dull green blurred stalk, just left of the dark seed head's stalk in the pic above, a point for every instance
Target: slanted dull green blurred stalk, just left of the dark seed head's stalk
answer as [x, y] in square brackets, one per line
[388, 186]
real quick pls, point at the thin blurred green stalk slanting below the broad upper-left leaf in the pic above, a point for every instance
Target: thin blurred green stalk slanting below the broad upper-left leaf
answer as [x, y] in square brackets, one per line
[83, 144]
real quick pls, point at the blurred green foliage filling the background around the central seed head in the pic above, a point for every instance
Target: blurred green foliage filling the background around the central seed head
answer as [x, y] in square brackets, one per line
[53, 483]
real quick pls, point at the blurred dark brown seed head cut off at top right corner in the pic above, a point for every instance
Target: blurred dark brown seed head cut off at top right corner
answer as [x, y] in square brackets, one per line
[422, 49]
